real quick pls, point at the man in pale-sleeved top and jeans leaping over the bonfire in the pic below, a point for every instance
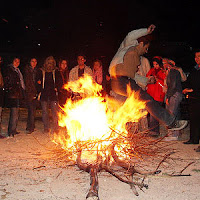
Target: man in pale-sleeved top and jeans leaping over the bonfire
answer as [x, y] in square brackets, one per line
[123, 68]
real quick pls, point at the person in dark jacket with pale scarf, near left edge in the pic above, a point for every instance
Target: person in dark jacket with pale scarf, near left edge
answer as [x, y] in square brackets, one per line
[14, 86]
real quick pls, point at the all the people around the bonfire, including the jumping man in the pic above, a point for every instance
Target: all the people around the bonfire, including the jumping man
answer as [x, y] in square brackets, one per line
[159, 83]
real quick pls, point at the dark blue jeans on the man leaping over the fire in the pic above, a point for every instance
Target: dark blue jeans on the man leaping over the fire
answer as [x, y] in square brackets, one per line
[119, 86]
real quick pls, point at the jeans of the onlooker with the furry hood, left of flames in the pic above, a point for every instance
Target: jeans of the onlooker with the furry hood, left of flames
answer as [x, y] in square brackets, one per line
[54, 113]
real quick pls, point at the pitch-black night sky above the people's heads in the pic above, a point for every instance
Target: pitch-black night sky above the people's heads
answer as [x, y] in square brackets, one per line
[96, 28]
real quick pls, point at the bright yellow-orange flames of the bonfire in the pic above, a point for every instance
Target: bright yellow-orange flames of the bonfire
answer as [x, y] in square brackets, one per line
[92, 122]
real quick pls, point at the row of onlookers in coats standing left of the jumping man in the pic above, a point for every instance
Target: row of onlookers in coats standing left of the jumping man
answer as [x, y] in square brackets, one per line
[43, 86]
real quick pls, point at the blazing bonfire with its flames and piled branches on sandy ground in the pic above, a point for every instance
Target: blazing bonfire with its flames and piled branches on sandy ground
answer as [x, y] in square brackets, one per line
[101, 133]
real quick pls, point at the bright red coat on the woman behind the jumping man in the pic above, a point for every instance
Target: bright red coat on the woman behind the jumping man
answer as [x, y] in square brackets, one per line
[156, 90]
